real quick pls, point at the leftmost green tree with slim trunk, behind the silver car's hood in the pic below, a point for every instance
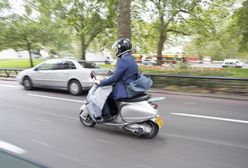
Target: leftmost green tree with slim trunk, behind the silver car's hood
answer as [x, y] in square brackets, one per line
[29, 33]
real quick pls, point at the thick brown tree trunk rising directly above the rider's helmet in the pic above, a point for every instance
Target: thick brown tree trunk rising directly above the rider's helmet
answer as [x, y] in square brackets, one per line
[124, 21]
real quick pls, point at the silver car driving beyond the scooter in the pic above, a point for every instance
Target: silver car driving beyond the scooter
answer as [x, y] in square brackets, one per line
[66, 74]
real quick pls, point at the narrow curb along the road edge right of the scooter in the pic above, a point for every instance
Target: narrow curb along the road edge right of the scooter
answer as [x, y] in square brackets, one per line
[230, 97]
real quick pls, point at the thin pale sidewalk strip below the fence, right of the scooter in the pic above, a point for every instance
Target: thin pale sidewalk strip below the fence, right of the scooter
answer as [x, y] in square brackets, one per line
[210, 95]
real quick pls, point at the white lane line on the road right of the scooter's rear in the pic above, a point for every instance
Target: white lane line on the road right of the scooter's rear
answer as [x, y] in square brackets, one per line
[211, 118]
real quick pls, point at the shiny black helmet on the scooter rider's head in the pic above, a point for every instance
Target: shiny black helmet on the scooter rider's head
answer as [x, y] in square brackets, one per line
[122, 46]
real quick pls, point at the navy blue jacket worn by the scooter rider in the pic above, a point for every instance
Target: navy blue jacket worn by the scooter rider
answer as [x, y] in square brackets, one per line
[126, 72]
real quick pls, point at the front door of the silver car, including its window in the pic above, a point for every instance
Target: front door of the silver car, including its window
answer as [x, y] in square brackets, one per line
[41, 75]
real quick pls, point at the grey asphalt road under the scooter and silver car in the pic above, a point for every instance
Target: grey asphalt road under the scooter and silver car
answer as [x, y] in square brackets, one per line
[199, 132]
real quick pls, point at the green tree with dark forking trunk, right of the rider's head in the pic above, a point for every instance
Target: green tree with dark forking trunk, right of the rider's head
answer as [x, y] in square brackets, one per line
[181, 17]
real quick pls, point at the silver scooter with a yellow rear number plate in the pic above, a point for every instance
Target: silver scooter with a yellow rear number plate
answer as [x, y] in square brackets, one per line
[138, 115]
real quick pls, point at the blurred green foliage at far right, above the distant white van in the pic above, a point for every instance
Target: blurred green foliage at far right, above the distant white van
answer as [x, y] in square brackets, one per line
[221, 38]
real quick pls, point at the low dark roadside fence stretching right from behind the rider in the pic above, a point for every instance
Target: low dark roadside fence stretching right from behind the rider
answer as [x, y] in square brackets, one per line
[204, 84]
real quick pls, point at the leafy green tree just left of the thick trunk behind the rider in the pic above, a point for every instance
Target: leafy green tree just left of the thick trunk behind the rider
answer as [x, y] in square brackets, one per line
[90, 18]
